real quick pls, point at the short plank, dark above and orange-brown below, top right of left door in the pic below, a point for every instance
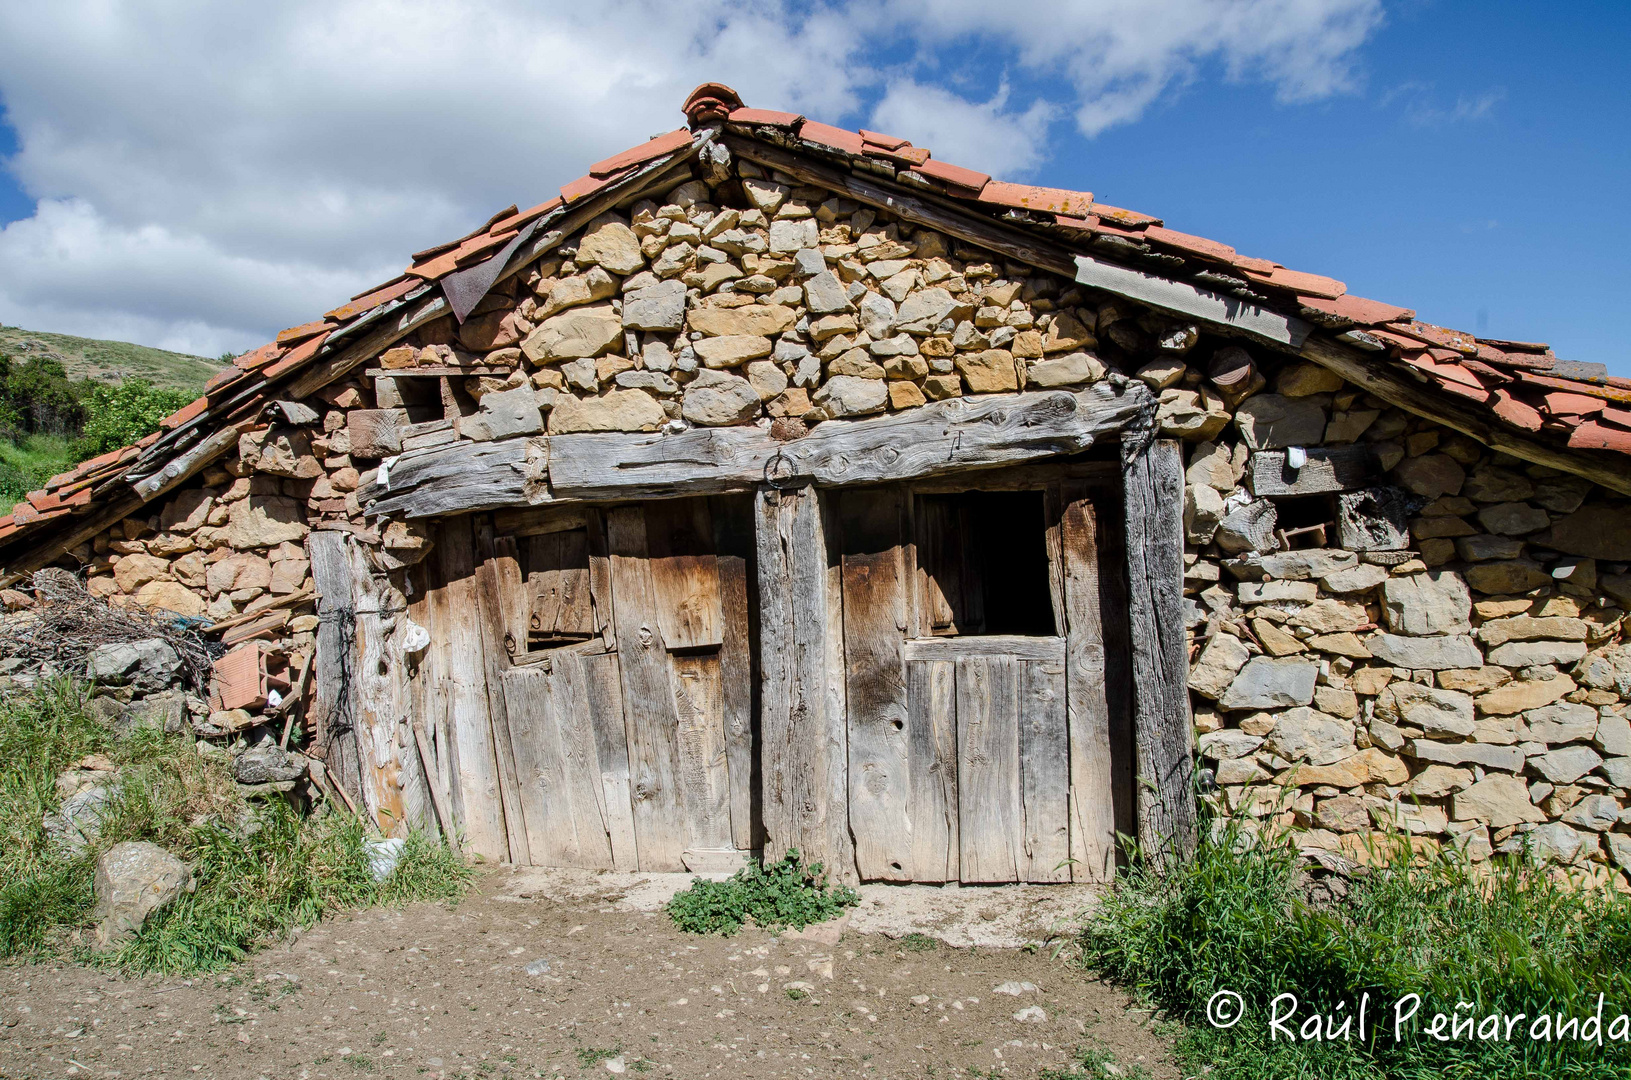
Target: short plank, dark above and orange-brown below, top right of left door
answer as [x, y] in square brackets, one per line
[684, 573]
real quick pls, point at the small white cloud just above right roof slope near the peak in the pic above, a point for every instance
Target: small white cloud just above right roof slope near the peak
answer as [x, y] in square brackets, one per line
[986, 136]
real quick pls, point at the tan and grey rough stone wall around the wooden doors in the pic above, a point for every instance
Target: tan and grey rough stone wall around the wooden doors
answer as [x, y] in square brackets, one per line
[1449, 662]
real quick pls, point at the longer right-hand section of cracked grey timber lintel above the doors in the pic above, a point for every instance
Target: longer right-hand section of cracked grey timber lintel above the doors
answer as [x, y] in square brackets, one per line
[945, 436]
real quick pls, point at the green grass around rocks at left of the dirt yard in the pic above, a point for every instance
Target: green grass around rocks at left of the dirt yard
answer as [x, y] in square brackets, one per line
[260, 869]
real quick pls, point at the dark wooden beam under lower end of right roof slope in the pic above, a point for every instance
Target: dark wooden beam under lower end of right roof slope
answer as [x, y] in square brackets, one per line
[1475, 422]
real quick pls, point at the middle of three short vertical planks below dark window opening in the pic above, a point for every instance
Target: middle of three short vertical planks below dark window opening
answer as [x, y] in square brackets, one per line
[989, 813]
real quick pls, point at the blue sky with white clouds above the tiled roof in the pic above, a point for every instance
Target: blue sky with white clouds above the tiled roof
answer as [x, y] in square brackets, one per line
[198, 179]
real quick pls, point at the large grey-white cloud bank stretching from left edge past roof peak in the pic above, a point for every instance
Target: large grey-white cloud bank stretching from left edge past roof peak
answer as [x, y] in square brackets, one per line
[208, 174]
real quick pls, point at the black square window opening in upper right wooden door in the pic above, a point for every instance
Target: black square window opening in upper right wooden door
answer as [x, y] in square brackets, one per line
[984, 560]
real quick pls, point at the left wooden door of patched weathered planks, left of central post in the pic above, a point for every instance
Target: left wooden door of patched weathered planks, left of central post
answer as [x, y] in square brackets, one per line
[614, 653]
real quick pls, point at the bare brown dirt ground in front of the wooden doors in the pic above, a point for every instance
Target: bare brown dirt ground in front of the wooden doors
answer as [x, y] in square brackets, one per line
[562, 975]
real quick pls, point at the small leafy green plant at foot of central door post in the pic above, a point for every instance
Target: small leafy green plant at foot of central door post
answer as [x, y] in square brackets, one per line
[772, 896]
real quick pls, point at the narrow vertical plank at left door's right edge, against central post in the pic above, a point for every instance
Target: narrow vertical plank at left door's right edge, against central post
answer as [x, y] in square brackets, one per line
[733, 521]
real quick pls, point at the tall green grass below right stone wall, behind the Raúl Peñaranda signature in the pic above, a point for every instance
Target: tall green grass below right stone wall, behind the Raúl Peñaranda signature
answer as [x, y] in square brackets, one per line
[1506, 939]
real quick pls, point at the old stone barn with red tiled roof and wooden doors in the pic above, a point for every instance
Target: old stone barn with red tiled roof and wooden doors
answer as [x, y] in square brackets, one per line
[779, 485]
